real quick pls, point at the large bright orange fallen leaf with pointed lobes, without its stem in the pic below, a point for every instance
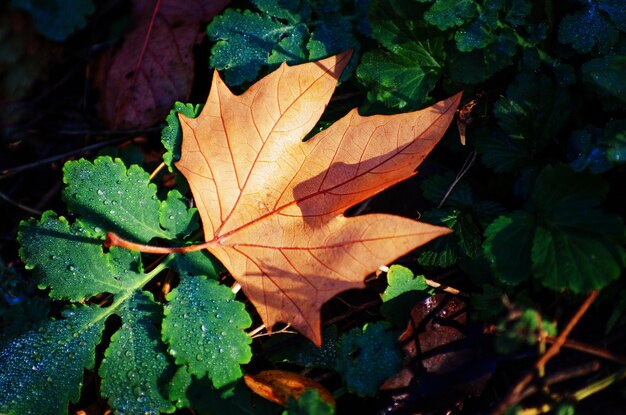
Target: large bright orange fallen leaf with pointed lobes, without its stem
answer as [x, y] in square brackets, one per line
[272, 205]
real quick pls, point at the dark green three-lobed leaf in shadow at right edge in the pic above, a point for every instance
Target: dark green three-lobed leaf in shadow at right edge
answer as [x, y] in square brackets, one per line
[562, 238]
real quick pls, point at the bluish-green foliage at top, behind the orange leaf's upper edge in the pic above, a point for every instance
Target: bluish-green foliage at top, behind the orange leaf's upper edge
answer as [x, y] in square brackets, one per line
[292, 31]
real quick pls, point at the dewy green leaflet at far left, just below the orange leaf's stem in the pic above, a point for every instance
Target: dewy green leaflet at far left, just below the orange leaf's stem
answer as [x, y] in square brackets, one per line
[70, 261]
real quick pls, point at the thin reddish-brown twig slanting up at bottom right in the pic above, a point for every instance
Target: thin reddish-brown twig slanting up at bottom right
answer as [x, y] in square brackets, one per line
[515, 395]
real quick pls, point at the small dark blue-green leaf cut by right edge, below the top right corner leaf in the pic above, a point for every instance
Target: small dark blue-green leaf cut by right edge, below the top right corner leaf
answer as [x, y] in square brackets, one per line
[607, 74]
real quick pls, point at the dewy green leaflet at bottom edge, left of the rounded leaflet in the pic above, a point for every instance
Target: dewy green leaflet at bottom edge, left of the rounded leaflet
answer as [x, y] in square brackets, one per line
[135, 364]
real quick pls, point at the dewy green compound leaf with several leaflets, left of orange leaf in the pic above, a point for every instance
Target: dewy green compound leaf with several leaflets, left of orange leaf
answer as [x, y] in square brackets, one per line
[68, 258]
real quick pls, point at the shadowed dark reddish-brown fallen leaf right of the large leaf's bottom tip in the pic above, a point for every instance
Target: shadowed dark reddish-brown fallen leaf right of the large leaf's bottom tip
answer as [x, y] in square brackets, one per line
[442, 360]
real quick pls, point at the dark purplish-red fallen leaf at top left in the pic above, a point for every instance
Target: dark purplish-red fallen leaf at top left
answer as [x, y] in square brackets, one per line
[140, 81]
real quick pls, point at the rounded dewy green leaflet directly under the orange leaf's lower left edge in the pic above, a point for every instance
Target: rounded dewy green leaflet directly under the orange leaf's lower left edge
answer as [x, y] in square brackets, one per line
[204, 328]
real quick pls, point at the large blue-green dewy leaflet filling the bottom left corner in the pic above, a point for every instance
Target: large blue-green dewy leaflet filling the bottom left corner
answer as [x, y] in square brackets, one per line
[42, 370]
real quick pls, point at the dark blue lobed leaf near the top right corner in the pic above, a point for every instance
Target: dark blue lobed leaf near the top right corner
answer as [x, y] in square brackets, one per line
[587, 28]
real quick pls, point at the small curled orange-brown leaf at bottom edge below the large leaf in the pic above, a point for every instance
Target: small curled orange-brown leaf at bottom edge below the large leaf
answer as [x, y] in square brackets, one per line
[278, 385]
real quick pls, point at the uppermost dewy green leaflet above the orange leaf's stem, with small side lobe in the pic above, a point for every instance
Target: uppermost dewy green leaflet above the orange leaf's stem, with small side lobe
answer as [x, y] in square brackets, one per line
[110, 197]
